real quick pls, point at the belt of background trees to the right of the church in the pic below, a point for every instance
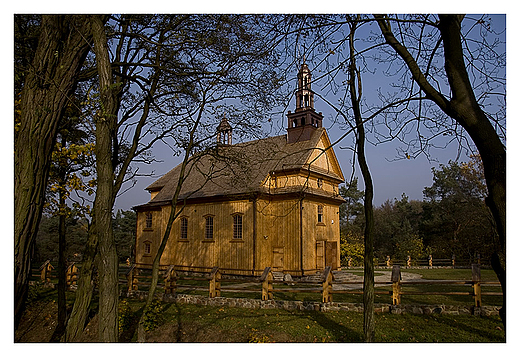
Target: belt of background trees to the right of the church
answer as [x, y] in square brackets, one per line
[452, 220]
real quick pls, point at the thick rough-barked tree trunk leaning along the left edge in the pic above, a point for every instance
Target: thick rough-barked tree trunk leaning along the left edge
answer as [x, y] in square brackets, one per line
[62, 48]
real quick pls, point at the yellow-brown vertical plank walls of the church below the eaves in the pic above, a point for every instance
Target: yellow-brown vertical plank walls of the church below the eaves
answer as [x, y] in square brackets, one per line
[277, 235]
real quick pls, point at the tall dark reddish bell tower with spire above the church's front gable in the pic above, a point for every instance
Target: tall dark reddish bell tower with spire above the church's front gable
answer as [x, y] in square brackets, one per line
[304, 121]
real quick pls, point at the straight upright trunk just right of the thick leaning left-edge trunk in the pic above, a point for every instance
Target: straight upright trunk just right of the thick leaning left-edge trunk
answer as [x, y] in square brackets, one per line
[106, 121]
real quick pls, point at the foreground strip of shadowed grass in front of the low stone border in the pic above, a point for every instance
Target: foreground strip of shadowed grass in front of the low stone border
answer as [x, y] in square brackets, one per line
[192, 323]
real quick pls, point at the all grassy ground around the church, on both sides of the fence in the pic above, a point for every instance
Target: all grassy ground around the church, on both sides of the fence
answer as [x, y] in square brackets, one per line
[176, 322]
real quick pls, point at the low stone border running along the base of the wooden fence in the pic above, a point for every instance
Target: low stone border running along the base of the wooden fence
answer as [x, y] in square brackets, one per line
[319, 306]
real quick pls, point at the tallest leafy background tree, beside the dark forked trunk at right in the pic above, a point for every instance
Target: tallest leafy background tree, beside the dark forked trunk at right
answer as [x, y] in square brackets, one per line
[456, 219]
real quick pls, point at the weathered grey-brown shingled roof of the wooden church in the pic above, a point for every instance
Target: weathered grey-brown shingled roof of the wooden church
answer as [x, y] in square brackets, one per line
[239, 169]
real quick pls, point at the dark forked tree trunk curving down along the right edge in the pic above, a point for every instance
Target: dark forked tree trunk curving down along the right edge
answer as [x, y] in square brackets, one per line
[465, 109]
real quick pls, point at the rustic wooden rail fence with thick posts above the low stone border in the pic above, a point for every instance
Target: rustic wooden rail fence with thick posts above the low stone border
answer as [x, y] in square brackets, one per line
[322, 284]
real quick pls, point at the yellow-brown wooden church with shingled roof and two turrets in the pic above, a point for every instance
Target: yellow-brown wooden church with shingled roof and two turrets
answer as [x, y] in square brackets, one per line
[271, 202]
